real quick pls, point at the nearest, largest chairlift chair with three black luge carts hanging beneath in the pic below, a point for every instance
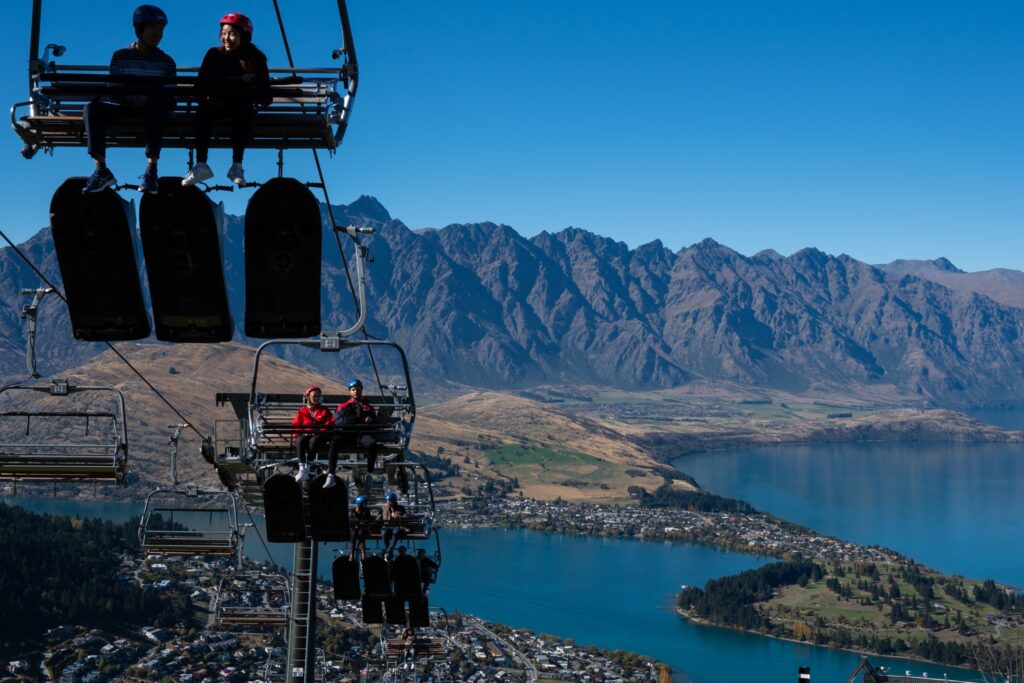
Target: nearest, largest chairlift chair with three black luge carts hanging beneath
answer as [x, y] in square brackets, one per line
[181, 228]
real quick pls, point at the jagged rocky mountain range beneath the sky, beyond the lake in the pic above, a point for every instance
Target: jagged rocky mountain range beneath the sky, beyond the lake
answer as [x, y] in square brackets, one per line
[482, 306]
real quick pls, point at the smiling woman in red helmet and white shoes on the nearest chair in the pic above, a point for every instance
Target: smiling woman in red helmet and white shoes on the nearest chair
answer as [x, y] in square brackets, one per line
[237, 60]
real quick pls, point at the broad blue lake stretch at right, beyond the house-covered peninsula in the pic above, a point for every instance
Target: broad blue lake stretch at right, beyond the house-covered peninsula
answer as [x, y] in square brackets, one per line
[957, 508]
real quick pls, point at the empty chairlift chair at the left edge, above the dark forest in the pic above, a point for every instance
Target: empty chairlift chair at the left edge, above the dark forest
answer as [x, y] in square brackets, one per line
[42, 453]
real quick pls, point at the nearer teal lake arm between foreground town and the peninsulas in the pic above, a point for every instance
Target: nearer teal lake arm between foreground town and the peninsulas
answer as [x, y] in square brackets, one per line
[612, 593]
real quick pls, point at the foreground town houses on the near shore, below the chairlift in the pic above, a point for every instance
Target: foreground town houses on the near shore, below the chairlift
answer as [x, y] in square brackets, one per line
[215, 653]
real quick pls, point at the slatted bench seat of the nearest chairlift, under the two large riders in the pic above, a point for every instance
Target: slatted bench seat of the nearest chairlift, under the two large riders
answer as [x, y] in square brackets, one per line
[307, 111]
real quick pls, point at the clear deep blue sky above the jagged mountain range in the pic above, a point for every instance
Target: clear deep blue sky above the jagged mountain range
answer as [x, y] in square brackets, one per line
[879, 130]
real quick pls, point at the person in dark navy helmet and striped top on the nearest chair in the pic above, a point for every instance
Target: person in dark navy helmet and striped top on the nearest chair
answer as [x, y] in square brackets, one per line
[141, 59]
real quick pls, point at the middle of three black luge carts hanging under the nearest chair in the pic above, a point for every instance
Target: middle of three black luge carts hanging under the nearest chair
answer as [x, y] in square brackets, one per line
[181, 232]
